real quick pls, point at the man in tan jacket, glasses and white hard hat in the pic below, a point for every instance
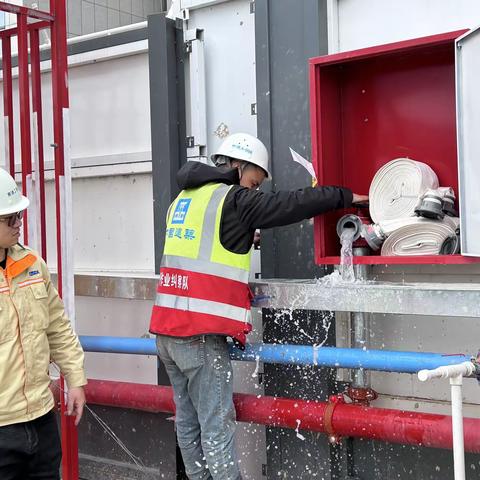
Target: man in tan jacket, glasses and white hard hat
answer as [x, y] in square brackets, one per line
[33, 330]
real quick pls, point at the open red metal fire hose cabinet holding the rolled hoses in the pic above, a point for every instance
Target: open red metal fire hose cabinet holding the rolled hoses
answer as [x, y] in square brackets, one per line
[371, 105]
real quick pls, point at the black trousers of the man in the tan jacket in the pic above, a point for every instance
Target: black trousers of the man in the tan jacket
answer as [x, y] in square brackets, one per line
[31, 450]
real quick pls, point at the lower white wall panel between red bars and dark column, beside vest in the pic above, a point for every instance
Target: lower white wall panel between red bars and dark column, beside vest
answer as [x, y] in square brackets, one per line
[113, 224]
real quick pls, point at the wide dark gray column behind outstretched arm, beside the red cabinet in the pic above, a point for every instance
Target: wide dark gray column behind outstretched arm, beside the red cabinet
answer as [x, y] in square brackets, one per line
[287, 34]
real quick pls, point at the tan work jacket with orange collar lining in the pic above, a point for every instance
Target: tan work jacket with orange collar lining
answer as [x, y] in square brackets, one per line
[33, 330]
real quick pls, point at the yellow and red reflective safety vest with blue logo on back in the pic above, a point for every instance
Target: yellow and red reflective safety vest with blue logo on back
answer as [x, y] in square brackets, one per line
[203, 287]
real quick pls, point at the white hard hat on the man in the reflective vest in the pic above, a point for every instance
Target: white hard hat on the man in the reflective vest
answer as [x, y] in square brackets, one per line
[243, 146]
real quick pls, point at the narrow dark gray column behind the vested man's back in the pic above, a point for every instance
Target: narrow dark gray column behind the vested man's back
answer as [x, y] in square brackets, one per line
[167, 112]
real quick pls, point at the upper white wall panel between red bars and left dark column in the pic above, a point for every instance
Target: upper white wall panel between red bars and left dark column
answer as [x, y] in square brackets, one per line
[110, 107]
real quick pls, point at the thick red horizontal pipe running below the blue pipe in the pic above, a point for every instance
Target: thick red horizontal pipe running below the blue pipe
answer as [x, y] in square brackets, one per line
[348, 420]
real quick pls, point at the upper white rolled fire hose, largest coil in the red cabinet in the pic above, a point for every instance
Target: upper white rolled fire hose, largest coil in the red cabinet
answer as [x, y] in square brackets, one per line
[396, 189]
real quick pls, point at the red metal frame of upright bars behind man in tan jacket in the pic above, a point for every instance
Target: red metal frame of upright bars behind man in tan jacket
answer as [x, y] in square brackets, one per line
[56, 21]
